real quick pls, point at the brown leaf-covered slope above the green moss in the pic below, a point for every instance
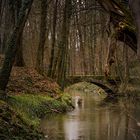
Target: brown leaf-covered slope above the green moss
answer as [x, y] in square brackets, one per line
[25, 80]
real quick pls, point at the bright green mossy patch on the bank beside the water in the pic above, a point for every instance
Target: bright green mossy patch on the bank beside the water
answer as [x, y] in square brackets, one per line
[33, 107]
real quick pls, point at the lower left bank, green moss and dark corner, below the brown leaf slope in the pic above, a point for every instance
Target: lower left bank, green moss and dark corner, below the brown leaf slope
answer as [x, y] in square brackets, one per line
[20, 117]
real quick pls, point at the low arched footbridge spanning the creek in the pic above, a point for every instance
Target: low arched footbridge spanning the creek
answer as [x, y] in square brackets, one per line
[109, 85]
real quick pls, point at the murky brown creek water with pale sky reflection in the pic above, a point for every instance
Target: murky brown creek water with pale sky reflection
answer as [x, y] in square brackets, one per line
[95, 120]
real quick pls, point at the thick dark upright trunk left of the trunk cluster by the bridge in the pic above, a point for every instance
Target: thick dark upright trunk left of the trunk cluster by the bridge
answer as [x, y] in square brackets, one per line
[40, 51]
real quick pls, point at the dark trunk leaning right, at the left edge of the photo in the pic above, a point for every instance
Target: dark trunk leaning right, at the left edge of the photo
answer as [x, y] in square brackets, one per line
[12, 46]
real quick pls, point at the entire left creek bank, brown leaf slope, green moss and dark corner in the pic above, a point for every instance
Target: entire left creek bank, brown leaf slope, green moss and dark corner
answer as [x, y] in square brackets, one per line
[30, 98]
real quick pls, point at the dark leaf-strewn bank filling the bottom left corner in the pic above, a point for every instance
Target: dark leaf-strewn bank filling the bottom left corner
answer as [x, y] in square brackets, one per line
[13, 127]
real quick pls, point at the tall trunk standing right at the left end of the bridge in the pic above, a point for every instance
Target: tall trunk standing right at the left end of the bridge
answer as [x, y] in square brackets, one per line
[62, 66]
